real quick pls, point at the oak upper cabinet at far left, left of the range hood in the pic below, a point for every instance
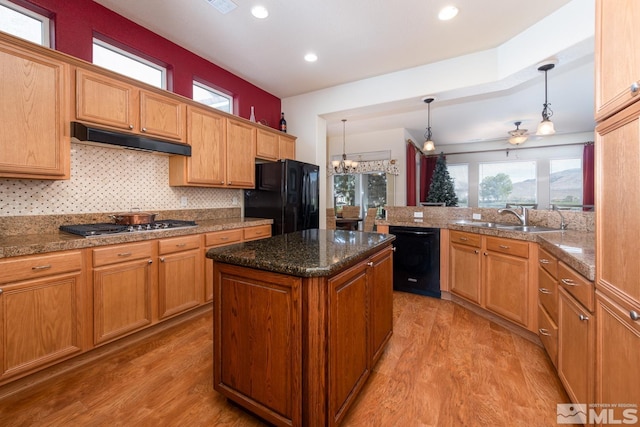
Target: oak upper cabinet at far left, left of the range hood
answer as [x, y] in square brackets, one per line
[35, 141]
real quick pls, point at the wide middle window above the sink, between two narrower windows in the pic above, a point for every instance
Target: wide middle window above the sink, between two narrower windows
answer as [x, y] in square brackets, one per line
[507, 182]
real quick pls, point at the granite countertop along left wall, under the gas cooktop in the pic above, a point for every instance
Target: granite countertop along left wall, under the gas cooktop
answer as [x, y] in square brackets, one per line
[29, 244]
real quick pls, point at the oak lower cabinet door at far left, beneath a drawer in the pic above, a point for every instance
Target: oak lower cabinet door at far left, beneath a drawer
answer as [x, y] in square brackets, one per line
[40, 322]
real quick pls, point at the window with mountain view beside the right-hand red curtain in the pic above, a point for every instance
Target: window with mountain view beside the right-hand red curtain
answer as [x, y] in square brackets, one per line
[565, 182]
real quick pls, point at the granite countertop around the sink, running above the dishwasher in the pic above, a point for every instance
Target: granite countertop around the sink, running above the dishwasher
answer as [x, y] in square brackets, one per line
[574, 248]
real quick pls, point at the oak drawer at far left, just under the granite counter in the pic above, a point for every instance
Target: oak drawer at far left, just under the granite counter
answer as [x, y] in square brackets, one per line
[25, 268]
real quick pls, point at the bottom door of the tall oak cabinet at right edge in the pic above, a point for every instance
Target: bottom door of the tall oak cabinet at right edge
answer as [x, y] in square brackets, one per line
[617, 353]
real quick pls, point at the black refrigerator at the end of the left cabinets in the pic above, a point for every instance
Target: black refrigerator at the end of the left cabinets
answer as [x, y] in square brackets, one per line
[286, 191]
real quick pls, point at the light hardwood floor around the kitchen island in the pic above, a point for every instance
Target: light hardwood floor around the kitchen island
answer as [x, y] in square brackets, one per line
[444, 366]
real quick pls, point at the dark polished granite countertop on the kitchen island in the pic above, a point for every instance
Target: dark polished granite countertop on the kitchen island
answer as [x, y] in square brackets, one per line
[308, 253]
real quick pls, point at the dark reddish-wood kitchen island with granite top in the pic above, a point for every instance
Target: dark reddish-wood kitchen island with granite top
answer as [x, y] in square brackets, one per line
[300, 319]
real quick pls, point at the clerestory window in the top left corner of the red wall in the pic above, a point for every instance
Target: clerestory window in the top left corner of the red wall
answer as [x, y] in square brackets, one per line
[24, 23]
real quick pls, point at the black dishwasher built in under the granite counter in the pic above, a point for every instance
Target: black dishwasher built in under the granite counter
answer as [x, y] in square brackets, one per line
[416, 261]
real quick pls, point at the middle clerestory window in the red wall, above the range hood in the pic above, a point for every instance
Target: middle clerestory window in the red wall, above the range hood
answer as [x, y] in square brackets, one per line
[123, 62]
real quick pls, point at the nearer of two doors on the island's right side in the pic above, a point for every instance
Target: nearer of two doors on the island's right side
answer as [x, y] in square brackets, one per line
[348, 338]
